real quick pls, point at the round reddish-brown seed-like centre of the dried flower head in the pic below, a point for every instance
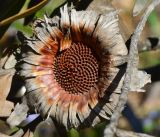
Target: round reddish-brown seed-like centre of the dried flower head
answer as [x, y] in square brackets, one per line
[76, 69]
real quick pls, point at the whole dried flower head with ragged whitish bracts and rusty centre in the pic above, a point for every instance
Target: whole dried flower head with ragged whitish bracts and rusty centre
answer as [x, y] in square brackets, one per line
[70, 66]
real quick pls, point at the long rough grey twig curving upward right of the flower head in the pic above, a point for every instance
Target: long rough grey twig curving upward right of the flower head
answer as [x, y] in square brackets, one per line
[132, 64]
